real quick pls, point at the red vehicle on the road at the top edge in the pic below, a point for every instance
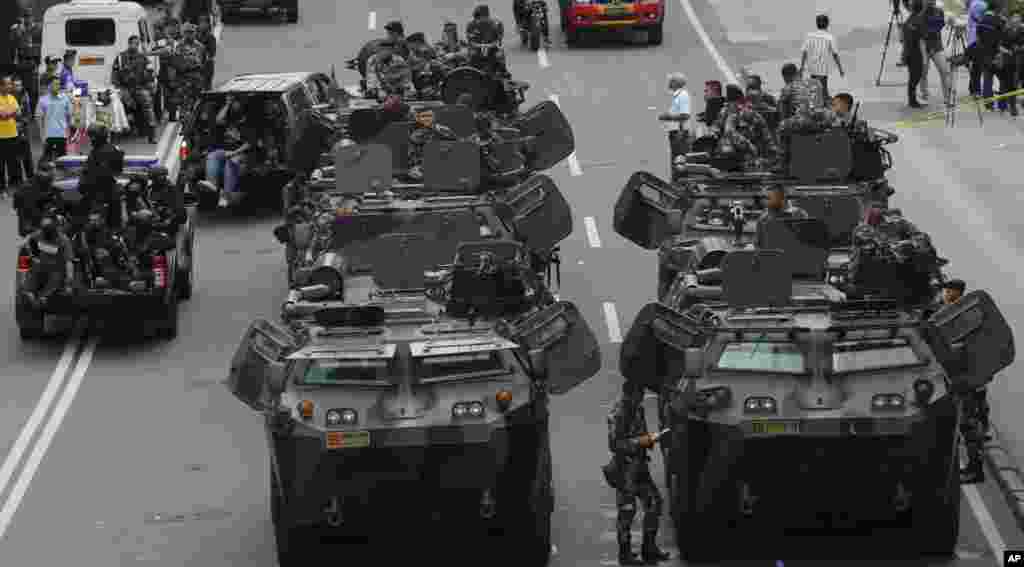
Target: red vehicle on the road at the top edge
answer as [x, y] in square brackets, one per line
[579, 16]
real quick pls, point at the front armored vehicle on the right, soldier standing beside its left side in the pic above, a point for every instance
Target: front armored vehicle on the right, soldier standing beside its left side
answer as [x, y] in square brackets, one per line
[798, 410]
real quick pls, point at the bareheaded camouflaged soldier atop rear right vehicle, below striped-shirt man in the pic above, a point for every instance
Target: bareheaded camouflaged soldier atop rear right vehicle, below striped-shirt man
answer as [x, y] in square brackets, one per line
[801, 110]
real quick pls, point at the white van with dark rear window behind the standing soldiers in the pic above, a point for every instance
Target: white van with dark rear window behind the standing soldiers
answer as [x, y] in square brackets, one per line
[99, 30]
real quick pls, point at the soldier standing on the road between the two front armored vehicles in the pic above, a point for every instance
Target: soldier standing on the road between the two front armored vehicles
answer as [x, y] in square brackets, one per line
[629, 443]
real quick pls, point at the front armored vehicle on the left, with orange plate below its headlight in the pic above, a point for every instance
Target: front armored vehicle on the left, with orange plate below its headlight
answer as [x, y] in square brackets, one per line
[412, 371]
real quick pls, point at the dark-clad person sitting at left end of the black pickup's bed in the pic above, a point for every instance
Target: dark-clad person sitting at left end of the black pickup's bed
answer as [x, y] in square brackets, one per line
[53, 265]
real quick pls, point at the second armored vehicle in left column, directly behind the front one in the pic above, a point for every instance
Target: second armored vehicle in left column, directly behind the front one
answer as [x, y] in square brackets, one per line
[368, 191]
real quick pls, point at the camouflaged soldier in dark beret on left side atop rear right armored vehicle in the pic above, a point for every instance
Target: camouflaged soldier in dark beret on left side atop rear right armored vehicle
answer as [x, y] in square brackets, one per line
[743, 133]
